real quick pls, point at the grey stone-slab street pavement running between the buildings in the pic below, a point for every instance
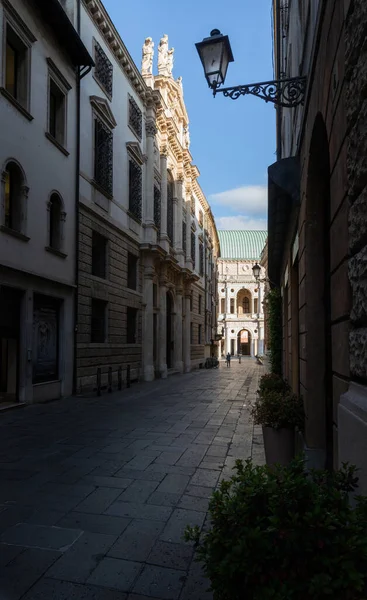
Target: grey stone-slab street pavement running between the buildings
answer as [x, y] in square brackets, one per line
[95, 493]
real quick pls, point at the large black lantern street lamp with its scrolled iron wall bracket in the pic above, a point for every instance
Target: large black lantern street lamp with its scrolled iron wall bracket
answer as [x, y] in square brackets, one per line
[215, 54]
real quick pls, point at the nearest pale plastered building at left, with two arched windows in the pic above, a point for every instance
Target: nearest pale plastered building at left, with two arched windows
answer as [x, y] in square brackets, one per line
[40, 57]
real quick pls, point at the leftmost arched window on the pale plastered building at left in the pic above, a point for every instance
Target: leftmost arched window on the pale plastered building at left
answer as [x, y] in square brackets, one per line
[15, 196]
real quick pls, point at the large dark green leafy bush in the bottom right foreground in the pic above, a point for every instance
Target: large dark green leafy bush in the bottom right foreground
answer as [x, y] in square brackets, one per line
[284, 534]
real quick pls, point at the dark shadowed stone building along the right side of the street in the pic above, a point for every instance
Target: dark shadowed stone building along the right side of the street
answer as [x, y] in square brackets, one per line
[317, 224]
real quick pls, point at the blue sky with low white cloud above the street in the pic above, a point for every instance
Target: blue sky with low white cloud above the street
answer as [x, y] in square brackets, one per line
[232, 142]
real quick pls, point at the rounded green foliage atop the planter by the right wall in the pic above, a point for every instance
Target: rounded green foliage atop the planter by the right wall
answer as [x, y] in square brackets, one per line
[278, 409]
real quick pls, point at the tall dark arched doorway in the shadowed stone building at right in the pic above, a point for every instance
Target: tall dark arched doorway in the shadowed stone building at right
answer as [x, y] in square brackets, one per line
[317, 388]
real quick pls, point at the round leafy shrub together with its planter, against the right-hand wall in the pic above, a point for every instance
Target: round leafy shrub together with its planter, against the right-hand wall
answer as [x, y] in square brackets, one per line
[280, 412]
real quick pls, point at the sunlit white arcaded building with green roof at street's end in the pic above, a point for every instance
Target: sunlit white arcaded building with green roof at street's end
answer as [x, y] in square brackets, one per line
[240, 296]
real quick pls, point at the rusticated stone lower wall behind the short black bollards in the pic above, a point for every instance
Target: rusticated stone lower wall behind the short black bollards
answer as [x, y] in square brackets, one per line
[115, 352]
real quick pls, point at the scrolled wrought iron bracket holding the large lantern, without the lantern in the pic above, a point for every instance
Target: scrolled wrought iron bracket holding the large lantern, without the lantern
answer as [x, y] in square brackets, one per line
[288, 93]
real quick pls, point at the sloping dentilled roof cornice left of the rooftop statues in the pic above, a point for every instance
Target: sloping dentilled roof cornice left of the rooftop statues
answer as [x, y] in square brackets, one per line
[112, 38]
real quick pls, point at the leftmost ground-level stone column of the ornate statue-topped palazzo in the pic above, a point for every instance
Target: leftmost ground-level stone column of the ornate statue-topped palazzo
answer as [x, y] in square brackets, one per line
[148, 362]
